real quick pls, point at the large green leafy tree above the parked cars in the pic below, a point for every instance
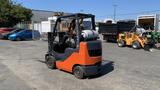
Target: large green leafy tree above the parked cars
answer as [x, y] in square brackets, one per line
[12, 13]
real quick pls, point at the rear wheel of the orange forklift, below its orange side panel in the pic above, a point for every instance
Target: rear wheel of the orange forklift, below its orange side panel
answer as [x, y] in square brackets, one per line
[78, 72]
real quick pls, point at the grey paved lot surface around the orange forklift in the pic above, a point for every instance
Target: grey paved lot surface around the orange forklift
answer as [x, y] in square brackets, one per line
[22, 67]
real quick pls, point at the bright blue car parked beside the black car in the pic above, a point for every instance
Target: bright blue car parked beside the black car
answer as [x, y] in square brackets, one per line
[24, 35]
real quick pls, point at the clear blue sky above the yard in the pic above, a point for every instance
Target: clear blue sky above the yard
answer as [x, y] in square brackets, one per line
[103, 9]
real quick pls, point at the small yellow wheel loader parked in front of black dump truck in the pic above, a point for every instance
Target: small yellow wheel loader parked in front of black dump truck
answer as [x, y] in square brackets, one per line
[135, 40]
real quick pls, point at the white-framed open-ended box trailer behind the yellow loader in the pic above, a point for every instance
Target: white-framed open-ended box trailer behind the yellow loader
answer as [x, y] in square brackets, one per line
[149, 22]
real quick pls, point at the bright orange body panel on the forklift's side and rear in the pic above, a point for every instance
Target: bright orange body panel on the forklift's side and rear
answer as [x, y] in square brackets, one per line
[78, 58]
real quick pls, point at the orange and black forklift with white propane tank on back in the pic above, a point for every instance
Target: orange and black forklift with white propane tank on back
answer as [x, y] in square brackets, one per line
[73, 46]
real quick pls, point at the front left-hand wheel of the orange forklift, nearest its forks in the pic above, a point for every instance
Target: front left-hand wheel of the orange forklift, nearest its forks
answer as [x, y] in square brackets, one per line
[50, 62]
